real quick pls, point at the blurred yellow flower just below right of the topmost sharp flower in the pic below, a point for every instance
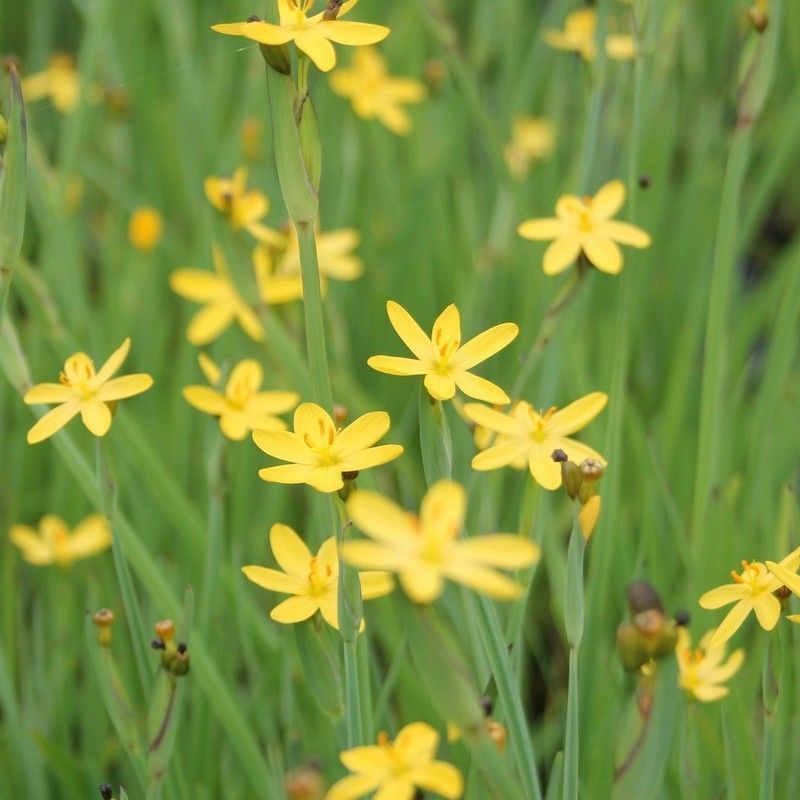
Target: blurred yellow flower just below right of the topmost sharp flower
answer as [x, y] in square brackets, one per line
[374, 93]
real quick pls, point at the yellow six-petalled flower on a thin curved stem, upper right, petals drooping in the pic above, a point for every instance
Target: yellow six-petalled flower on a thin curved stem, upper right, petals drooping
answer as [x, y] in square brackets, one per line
[585, 224]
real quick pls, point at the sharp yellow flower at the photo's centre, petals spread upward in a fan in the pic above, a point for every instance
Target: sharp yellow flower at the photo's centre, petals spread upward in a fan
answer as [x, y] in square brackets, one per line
[442, 359]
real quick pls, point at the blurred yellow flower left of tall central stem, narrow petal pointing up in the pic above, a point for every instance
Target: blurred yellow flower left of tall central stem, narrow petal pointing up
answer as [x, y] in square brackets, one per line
[223, 304]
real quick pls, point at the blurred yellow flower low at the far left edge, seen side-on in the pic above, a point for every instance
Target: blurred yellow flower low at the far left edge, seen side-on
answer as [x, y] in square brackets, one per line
[54, 543]
